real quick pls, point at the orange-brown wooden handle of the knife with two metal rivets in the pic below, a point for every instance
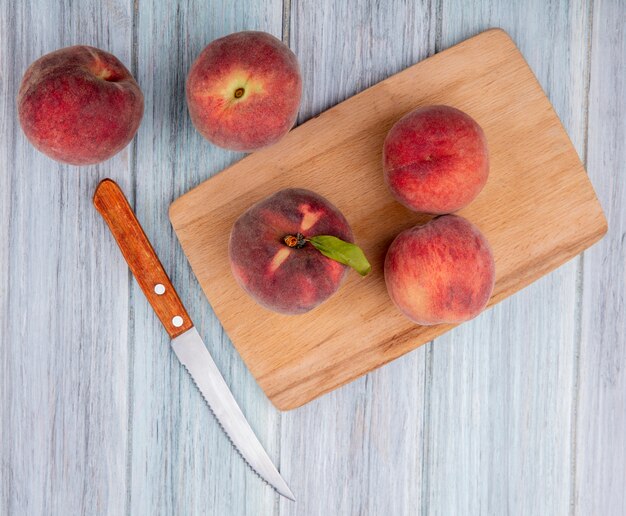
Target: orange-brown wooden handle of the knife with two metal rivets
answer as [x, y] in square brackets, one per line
[145, 265]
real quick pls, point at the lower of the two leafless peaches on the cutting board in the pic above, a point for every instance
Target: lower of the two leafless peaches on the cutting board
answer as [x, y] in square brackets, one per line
[441, 272]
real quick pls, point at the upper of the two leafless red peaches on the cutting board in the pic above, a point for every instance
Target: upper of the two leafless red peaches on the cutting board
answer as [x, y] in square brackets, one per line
[435, 159]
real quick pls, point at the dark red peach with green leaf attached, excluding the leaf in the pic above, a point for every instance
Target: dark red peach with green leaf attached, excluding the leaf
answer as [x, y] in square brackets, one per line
[288, 280]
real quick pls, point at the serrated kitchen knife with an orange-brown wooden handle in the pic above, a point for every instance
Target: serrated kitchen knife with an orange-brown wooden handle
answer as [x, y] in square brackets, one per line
[110, 201]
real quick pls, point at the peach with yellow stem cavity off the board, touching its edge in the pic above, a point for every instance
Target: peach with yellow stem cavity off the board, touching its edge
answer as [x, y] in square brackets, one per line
[243, 91]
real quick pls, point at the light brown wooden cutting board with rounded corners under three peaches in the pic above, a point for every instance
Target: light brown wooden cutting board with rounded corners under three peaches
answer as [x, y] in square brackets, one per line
[538, 210]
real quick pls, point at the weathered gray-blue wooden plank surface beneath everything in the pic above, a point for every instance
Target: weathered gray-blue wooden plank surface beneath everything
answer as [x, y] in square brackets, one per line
[521, 411]
